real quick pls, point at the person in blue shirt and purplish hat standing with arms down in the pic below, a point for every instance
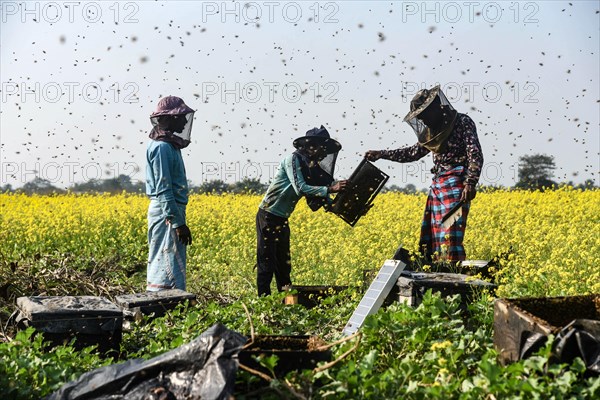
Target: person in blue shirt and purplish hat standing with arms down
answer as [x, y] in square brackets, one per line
[166, 185]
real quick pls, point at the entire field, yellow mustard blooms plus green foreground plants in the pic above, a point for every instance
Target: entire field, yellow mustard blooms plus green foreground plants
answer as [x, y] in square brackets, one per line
[548, 245]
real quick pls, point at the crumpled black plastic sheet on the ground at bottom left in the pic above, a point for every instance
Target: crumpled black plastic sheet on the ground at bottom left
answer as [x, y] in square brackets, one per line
[202, 369]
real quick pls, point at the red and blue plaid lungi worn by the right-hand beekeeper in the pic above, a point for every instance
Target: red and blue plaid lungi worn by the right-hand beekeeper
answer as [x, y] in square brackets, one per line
[438, 243]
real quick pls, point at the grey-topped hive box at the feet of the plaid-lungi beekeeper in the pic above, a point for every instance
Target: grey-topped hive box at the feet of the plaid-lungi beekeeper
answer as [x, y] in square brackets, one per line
[412, 286]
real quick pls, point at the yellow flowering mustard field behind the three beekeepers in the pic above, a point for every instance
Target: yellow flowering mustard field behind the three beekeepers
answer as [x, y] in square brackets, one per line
[552, 238]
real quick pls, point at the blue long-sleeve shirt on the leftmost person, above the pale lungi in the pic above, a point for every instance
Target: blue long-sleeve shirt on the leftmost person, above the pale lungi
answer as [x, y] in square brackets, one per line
[166, 180]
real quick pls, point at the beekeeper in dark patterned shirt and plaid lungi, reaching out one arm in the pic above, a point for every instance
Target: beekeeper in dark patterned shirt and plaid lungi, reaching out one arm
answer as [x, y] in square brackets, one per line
[457, 162]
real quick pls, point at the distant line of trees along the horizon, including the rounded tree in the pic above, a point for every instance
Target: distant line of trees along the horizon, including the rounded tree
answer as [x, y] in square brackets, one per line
[535, 173]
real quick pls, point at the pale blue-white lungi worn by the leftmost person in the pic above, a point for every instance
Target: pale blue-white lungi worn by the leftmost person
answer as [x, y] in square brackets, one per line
[166, 255]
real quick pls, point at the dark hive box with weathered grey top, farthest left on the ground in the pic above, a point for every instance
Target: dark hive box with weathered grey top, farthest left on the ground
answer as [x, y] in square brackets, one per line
[90, 320]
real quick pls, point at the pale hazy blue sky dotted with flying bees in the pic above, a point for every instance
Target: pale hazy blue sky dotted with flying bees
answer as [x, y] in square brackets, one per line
[79, 80]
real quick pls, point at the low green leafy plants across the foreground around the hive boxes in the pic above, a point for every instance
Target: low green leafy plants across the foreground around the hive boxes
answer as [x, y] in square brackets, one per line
[433, 351]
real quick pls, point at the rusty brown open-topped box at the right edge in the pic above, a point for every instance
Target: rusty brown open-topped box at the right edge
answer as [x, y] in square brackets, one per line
[516, 319]
